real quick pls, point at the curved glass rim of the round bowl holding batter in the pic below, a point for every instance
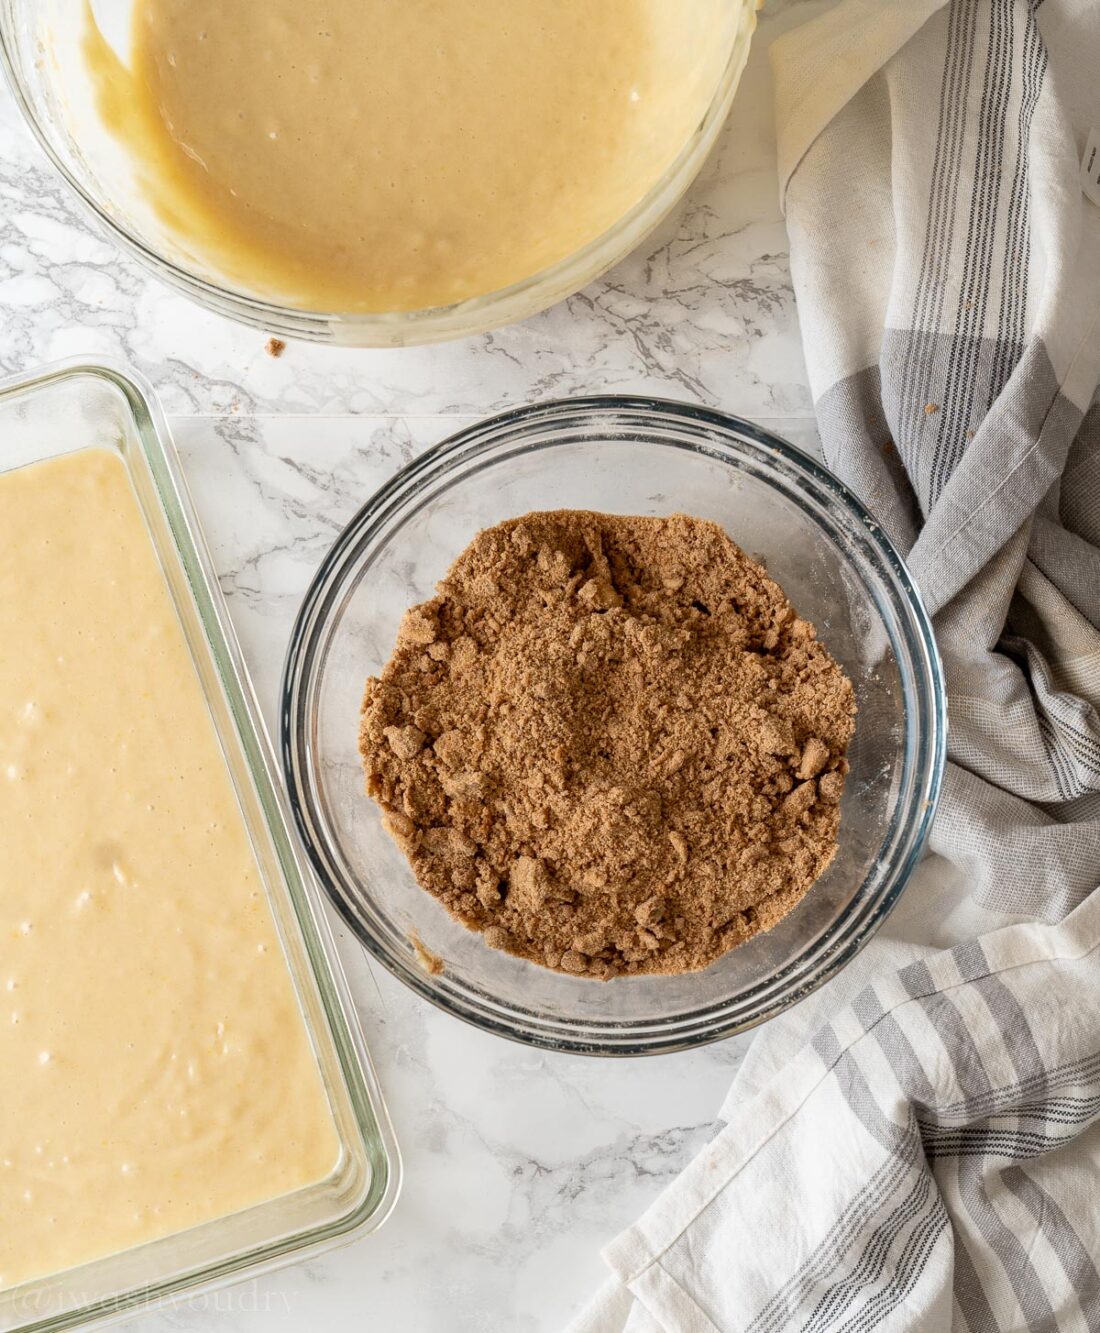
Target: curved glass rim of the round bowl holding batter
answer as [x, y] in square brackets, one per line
[430, 325]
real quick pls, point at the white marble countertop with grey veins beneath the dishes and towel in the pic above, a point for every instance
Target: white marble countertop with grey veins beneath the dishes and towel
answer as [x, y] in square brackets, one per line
[519, 1164]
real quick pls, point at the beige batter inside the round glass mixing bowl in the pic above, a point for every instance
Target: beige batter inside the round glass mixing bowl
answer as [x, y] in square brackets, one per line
[395, 155]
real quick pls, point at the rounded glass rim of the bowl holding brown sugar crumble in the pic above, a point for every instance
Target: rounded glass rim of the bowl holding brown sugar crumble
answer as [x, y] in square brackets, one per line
[835, 947]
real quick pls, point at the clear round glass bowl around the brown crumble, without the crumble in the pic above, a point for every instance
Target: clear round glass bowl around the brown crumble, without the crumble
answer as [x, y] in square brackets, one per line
[625, 457]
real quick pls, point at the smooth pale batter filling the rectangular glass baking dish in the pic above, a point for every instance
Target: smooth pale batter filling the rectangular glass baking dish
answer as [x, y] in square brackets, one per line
[157, 1070]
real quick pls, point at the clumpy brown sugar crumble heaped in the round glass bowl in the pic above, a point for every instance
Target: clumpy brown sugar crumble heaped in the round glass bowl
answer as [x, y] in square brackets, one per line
[610, 743]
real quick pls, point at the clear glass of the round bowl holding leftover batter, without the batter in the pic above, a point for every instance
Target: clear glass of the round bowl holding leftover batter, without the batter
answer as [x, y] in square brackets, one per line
[41, 50]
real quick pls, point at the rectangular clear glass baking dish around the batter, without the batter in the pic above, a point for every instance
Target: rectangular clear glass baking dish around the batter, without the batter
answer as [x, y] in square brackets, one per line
[71, 407]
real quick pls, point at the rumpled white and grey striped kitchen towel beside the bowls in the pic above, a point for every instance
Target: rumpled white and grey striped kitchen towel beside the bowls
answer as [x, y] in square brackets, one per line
[929, 1156]
